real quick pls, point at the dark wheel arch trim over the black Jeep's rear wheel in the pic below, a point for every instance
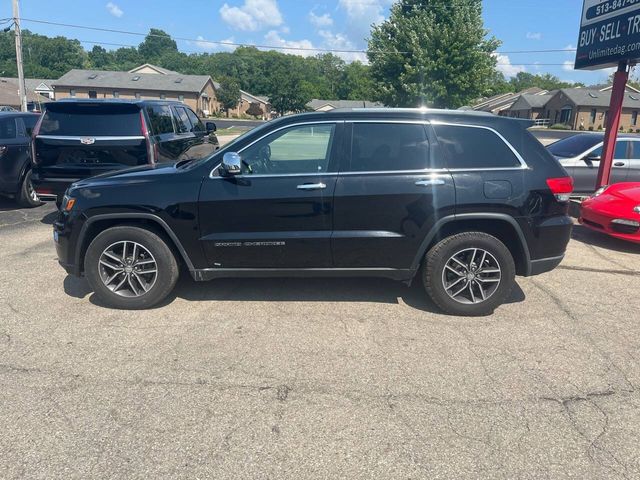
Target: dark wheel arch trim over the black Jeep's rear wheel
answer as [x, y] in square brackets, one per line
[502, 226]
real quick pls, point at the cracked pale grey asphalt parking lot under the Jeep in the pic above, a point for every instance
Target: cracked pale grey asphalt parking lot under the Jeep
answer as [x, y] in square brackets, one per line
[296, 379]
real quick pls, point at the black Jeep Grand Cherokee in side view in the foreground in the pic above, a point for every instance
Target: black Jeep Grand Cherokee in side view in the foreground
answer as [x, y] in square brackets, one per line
[464, 200]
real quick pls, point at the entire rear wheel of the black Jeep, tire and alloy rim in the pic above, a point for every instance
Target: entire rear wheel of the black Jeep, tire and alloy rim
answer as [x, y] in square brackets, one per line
[469, 274]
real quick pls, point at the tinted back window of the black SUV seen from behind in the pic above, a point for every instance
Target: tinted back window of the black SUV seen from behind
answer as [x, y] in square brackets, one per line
[91, 121]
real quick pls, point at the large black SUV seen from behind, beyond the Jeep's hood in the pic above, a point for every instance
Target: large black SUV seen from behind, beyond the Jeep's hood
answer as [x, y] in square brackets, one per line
[77, 139]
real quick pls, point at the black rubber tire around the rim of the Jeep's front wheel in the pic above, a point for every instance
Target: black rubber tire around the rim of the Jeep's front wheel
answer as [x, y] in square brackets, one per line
[165, 262]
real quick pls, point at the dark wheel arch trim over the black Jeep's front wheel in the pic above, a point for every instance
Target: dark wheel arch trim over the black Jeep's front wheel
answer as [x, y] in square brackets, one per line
[94, 225]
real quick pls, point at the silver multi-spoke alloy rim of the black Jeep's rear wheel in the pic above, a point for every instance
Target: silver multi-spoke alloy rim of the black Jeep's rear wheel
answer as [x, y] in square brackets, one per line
[471, 276]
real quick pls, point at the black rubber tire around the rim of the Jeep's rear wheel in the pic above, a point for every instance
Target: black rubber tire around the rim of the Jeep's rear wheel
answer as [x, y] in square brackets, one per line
[440, 254]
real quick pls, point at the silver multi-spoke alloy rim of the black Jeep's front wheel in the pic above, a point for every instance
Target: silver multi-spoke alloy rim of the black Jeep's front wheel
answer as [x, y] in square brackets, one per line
[128, 269]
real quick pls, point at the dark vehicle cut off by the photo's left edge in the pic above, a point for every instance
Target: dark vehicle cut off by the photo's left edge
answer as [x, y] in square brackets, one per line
[15, 157]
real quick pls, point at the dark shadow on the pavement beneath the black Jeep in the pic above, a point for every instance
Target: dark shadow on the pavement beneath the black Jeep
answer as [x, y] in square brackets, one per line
[373, 290]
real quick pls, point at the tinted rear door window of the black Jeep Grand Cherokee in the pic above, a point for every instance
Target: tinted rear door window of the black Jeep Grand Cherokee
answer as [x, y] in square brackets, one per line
[380, 147]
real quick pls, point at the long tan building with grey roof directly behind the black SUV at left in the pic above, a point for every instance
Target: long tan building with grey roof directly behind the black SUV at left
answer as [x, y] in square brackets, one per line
[197, 91]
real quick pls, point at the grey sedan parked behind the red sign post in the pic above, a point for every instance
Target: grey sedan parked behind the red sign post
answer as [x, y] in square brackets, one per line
[580, 155]
